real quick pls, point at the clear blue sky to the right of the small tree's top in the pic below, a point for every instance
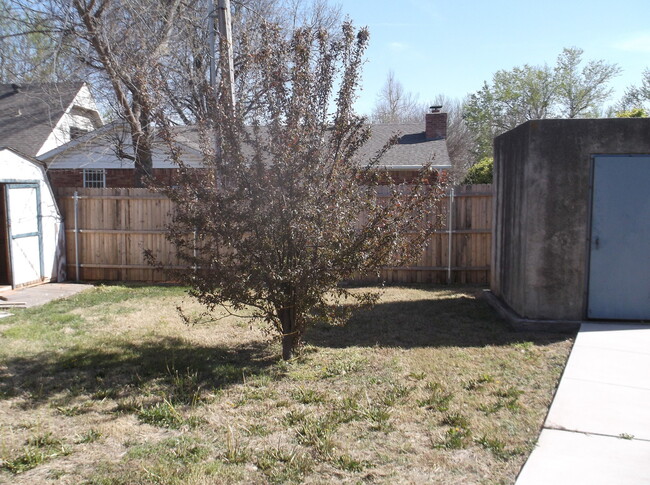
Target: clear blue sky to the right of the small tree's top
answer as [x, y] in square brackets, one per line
[450, 47]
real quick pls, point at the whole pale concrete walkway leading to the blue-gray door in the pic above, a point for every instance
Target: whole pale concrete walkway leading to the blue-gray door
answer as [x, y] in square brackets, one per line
[597, 431]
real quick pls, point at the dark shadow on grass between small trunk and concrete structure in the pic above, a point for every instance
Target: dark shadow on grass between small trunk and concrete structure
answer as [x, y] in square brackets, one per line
[442, 322]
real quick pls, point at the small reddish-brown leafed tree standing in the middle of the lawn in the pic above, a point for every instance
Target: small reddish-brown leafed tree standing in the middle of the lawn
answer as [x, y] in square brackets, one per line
[274, 225]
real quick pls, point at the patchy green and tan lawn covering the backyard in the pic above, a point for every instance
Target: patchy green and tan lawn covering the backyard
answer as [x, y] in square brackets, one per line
[111, 387]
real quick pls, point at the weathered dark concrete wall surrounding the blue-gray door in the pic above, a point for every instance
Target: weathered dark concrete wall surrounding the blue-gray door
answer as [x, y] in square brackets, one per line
[542, 173]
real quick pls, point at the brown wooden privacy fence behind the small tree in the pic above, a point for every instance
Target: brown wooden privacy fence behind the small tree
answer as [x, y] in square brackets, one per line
[107, 231]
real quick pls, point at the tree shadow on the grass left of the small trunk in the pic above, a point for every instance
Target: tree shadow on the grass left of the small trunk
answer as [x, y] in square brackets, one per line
[125, 369]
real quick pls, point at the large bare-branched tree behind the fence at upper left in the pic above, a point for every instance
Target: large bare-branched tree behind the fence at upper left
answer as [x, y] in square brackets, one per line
[126, 47]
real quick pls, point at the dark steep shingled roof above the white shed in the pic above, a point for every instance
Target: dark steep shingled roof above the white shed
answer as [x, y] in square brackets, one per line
[29, 113]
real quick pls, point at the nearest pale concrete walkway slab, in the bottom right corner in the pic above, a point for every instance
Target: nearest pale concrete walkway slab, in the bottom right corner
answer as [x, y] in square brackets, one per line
[563, 457]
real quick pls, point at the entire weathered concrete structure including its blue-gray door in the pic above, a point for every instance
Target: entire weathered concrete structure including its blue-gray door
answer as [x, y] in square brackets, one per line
[571, 238]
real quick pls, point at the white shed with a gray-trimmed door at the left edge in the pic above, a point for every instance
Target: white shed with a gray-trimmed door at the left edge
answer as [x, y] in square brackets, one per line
[32, 239]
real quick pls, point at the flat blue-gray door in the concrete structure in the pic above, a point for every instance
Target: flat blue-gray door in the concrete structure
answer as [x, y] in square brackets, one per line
[619, 263]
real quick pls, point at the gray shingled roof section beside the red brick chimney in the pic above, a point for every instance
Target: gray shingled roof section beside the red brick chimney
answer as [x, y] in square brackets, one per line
[412, 148]
